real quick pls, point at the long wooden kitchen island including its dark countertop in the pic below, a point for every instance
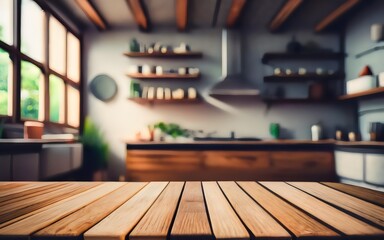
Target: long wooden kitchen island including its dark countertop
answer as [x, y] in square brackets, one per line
[294, 160]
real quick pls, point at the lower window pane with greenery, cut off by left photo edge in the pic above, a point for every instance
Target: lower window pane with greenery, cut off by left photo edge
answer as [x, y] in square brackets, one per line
[5, 84]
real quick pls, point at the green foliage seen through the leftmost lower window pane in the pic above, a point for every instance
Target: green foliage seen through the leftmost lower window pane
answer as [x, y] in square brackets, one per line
[4, 66]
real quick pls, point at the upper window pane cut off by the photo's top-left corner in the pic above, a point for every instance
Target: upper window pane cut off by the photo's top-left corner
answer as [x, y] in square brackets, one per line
[6, 21]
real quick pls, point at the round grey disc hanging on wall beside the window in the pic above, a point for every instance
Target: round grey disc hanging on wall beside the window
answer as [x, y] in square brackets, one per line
[103, 87]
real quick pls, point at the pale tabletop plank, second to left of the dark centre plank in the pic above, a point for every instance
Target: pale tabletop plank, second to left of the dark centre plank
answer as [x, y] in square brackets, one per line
[120, 222]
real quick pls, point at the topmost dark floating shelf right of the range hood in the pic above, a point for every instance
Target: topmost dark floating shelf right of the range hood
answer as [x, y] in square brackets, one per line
[302, 56]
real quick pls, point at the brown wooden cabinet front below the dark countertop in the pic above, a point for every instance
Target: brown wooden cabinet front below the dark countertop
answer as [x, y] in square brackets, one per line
[168, 165]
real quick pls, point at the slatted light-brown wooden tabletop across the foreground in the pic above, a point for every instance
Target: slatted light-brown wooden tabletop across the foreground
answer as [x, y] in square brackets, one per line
[189, 210]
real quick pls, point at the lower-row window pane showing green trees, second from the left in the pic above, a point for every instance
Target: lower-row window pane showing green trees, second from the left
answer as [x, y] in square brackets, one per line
[32, 89]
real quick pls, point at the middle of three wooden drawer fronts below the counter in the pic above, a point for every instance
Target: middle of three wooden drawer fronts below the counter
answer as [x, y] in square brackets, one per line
[236, 159]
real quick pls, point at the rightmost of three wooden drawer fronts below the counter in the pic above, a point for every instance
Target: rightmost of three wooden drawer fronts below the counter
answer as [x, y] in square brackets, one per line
[301, 160]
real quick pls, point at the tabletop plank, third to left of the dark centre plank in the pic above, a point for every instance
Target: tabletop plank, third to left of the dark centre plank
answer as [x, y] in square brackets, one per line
[80, 221]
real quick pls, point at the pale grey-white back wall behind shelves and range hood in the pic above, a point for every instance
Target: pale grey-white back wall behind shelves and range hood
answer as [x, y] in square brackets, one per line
[121, 118]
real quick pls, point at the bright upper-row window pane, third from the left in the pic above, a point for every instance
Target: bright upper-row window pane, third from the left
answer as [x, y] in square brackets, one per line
[57, 34]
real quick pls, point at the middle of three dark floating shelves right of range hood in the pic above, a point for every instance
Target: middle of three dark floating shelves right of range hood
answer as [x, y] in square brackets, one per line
[298, 78]
